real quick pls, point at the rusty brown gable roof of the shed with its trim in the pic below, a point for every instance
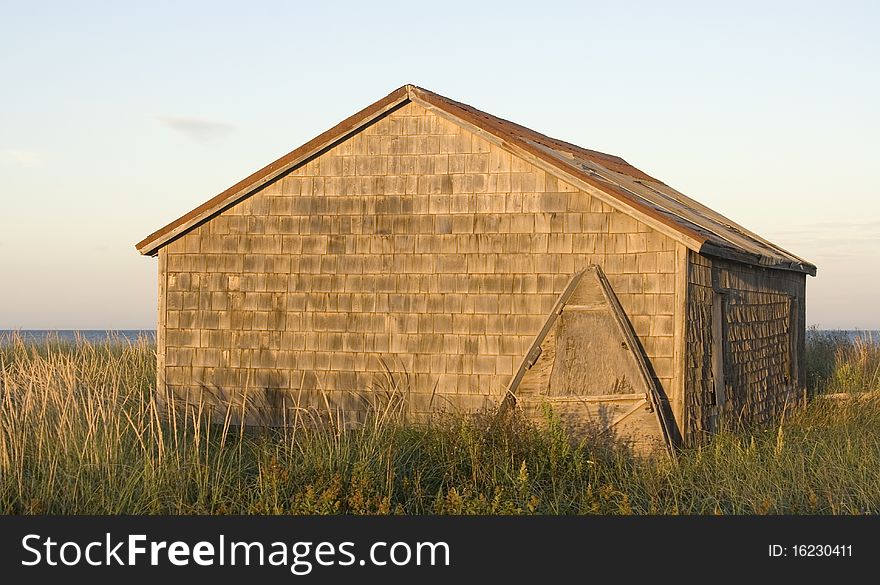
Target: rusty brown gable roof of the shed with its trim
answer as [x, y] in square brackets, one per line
[608, 177]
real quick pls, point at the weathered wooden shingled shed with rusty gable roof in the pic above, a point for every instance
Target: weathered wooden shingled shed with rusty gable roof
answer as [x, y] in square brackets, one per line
[473, 259]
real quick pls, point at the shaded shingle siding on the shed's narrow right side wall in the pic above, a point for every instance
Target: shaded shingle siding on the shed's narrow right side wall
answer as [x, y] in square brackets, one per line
[761, 340]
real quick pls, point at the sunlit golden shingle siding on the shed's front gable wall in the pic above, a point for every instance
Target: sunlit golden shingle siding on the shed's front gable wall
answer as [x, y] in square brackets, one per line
[414, 243]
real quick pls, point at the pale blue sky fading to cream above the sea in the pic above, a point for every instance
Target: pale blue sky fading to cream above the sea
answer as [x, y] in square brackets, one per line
[118, 117]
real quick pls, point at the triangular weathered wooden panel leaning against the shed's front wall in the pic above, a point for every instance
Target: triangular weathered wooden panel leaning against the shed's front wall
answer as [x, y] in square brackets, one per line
[588, 367]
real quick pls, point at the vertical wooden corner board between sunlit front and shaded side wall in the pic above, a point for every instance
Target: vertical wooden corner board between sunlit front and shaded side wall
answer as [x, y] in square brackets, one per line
[679, 381]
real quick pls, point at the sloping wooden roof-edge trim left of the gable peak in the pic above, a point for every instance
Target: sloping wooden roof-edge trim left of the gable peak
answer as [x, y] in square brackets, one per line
[352, 124]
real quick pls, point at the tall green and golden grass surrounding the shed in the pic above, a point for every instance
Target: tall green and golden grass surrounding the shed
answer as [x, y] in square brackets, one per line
[81, 434]
